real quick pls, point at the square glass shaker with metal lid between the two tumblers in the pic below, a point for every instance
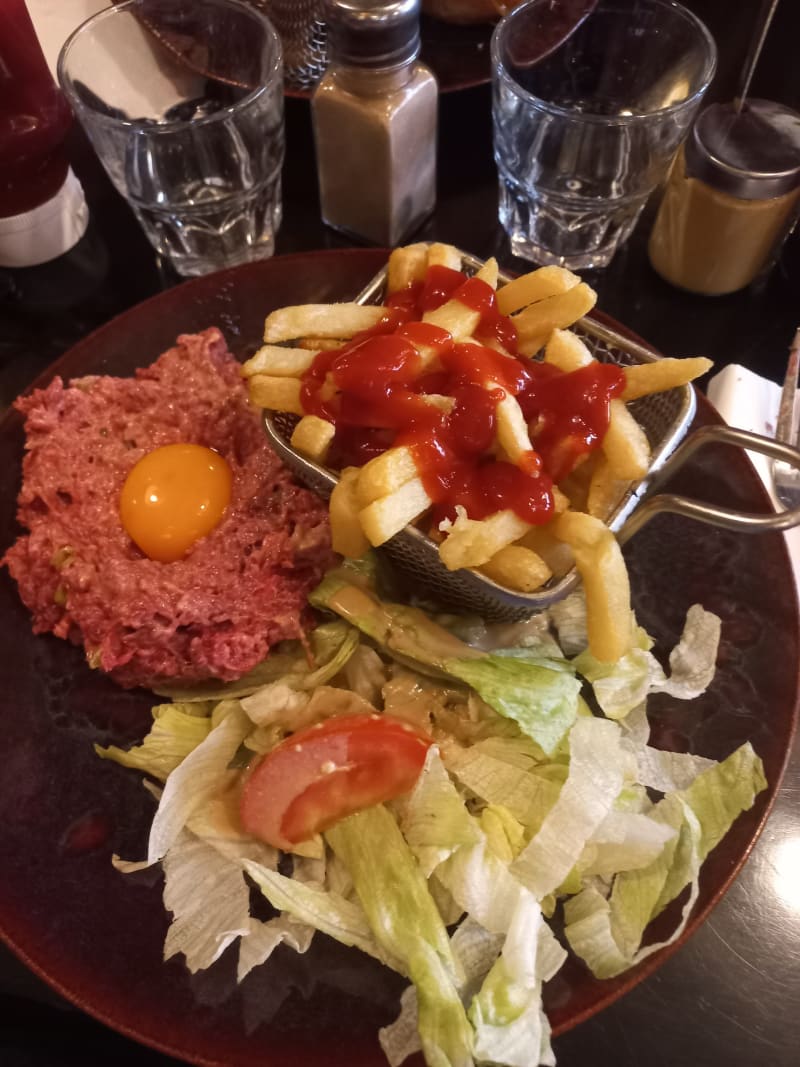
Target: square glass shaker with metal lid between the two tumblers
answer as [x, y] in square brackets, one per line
[375, 122]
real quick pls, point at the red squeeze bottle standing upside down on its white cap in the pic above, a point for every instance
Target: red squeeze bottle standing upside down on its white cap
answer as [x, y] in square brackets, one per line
[43, 213]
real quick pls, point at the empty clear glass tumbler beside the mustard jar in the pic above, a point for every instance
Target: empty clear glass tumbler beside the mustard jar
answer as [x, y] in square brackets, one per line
[586, 123]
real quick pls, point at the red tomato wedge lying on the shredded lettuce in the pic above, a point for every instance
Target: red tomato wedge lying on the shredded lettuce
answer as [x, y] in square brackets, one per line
[323, 774]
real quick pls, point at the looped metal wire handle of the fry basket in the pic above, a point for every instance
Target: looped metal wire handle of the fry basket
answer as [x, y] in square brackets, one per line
[727, 518]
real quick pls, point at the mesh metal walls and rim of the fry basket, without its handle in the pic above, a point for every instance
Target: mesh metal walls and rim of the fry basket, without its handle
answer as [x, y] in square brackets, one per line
[664, 417]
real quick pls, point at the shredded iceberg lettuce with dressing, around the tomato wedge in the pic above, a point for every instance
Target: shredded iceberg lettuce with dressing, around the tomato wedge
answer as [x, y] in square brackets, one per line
[530, 804]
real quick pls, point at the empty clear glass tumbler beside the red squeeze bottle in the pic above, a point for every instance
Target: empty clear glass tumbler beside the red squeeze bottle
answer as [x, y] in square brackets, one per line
[184, 104]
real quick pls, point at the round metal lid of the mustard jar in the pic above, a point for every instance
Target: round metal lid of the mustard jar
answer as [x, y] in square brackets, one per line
[753, 155]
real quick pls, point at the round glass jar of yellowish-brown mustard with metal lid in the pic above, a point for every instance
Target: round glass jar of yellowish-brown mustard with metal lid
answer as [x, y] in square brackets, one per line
[731, 199]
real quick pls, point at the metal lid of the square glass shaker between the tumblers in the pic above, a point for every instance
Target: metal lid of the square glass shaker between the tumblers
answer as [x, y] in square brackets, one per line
[374, 34]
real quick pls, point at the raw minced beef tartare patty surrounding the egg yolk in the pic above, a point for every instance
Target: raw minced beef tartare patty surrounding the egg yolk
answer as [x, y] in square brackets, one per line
[217, 612]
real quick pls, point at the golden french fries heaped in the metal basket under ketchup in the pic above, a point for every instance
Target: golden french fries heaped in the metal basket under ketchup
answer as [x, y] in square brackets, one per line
[373, 504]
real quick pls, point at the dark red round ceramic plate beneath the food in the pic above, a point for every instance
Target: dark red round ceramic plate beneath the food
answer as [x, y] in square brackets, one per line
[98, 936]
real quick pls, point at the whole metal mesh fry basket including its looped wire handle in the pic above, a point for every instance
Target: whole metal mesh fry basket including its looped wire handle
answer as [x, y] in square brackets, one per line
[665, 418]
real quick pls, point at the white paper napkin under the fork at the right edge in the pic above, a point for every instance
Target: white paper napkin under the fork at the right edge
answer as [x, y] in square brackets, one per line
[750, 403]
